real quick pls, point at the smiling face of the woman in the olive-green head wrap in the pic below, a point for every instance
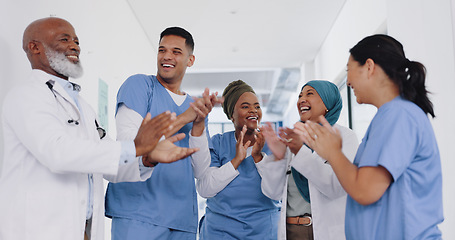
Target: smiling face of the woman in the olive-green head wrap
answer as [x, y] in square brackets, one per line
[247, 111]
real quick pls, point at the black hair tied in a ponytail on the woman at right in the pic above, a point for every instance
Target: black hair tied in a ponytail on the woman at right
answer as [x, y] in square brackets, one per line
[409, 76]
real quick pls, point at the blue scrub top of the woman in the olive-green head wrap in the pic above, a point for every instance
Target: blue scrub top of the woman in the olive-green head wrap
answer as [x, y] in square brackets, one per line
[240, 210]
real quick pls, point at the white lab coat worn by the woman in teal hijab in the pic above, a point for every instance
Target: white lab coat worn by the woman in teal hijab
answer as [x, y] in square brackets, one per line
[328, 198]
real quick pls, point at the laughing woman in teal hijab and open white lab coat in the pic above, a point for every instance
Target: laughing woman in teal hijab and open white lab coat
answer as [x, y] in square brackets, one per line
[313, 201]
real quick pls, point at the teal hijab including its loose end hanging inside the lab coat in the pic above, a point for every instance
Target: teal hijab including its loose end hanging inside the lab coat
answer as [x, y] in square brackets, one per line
[331, 98]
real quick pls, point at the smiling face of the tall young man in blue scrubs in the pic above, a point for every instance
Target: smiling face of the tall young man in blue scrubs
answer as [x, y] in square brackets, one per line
[173, 59]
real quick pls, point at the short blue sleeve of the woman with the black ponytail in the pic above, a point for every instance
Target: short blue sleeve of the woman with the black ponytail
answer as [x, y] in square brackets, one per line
[391, 142]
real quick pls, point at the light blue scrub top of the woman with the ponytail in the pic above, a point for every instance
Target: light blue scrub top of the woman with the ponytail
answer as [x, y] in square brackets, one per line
[400, 138]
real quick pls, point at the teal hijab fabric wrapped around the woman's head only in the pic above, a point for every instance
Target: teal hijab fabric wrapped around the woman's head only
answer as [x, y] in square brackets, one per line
[331, 97]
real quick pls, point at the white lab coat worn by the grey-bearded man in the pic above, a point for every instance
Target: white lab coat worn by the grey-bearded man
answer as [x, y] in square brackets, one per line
[44, 183]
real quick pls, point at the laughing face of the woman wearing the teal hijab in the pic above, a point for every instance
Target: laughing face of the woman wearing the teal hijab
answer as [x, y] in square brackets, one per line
[310, 104]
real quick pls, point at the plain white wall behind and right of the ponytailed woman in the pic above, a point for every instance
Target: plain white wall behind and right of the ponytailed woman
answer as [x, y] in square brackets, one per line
[426, 30]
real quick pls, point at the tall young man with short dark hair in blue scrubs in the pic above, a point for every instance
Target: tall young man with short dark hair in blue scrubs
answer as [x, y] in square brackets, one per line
[165, 206]
